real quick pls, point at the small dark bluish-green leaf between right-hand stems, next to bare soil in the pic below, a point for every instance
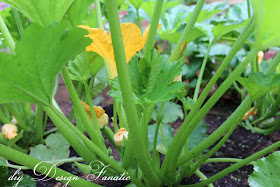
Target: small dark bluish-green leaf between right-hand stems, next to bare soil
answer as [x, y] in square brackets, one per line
[198, 134]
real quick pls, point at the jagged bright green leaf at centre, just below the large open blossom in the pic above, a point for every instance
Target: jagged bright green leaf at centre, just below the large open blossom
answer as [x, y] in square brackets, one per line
[152, 82]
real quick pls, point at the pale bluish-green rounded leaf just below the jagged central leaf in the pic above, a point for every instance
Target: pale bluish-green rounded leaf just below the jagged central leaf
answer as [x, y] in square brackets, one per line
[171, 112]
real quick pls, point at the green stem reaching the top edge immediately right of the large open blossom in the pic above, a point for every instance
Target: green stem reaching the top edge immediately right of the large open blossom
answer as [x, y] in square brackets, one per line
[153, 28]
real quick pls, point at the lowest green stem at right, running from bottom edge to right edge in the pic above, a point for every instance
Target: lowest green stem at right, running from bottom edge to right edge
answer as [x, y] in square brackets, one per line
[237, 165]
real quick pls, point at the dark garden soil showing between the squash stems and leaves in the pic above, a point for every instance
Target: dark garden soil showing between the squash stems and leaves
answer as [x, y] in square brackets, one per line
[242, 143]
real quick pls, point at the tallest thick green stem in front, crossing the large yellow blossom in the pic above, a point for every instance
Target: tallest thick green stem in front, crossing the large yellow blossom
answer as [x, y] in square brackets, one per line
[127, 94]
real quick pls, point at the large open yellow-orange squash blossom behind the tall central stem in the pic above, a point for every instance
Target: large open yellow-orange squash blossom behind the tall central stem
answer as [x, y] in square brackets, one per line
[102, 43]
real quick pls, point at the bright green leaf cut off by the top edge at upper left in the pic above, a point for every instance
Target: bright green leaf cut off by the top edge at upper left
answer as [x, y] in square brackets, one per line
[43, 12]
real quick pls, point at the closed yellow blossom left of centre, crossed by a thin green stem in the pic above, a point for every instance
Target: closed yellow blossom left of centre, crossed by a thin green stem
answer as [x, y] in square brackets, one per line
[102, 117]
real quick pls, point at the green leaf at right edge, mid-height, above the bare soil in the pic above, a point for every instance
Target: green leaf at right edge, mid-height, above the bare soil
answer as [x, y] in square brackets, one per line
[258, 84]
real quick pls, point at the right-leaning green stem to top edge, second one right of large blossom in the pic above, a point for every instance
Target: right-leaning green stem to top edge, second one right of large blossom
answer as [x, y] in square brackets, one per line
[187, 31]
